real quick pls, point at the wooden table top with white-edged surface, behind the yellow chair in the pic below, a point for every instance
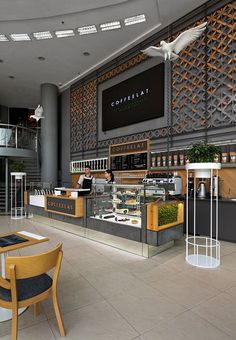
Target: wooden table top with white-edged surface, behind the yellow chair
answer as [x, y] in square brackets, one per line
[30, 237]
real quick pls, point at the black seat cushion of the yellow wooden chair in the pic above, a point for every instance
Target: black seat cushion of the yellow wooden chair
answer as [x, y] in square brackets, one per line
[27, 288]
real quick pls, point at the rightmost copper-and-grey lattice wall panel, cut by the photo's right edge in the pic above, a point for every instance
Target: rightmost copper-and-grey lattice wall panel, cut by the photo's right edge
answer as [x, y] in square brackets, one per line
[221, 66]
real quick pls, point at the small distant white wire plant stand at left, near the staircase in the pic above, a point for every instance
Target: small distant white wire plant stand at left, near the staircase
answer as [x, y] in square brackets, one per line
[18, 187]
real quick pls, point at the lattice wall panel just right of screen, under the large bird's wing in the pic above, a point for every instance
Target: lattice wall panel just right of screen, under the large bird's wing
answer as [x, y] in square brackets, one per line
[188, 88]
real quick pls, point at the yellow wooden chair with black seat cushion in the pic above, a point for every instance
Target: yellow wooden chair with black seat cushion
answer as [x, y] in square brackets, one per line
[27, 284]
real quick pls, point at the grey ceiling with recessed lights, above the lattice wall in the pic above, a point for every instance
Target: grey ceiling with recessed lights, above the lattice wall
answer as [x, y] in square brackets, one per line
[64, 56]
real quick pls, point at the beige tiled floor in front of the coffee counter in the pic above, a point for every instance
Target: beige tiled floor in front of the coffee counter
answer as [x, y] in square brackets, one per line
[108, 294]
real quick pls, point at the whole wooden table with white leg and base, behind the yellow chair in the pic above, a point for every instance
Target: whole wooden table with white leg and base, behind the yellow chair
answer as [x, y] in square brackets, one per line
[32, 239]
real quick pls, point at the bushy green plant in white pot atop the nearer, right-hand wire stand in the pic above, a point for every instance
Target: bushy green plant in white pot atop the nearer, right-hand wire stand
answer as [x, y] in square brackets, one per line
[201, 159]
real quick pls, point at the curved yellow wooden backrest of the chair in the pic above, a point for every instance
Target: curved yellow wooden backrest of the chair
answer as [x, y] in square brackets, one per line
[29, 266]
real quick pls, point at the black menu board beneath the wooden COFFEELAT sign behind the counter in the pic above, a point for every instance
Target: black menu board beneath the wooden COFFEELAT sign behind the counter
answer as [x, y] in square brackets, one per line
[137, 161]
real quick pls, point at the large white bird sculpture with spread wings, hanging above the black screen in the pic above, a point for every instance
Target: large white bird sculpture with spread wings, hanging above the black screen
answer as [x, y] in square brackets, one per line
[171, 50]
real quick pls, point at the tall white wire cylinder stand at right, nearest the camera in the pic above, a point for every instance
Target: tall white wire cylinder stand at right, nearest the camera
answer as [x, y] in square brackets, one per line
[203, 251]
